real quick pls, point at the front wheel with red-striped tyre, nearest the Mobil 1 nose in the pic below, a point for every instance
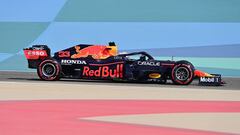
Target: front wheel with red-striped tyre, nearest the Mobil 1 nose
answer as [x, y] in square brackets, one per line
[182, 73]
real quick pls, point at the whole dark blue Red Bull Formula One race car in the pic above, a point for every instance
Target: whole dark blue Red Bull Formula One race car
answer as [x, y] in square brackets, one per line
[103, 62]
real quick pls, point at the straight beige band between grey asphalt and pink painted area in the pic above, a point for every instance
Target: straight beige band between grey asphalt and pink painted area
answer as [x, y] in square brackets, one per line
[50, 91]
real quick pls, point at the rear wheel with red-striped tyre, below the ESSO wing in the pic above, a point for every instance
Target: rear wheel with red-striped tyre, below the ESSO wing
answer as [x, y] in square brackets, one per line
[49, 70]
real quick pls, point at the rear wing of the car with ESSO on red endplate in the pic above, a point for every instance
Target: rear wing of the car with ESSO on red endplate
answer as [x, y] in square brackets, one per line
[36, 54]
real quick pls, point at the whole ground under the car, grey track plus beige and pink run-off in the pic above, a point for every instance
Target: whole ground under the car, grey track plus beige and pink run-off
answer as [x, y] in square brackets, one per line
[30, 106]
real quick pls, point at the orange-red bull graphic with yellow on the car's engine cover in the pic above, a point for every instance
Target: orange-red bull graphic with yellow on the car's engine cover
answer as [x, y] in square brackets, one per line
[97, 52]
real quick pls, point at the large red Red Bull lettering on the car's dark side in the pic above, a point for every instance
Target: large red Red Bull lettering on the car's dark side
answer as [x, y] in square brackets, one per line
[104, 71]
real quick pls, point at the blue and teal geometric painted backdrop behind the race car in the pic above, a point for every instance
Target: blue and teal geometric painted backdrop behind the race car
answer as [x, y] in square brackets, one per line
[205, 32]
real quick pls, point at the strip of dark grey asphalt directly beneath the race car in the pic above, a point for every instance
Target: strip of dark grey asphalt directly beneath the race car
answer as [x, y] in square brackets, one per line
[231, 83]
